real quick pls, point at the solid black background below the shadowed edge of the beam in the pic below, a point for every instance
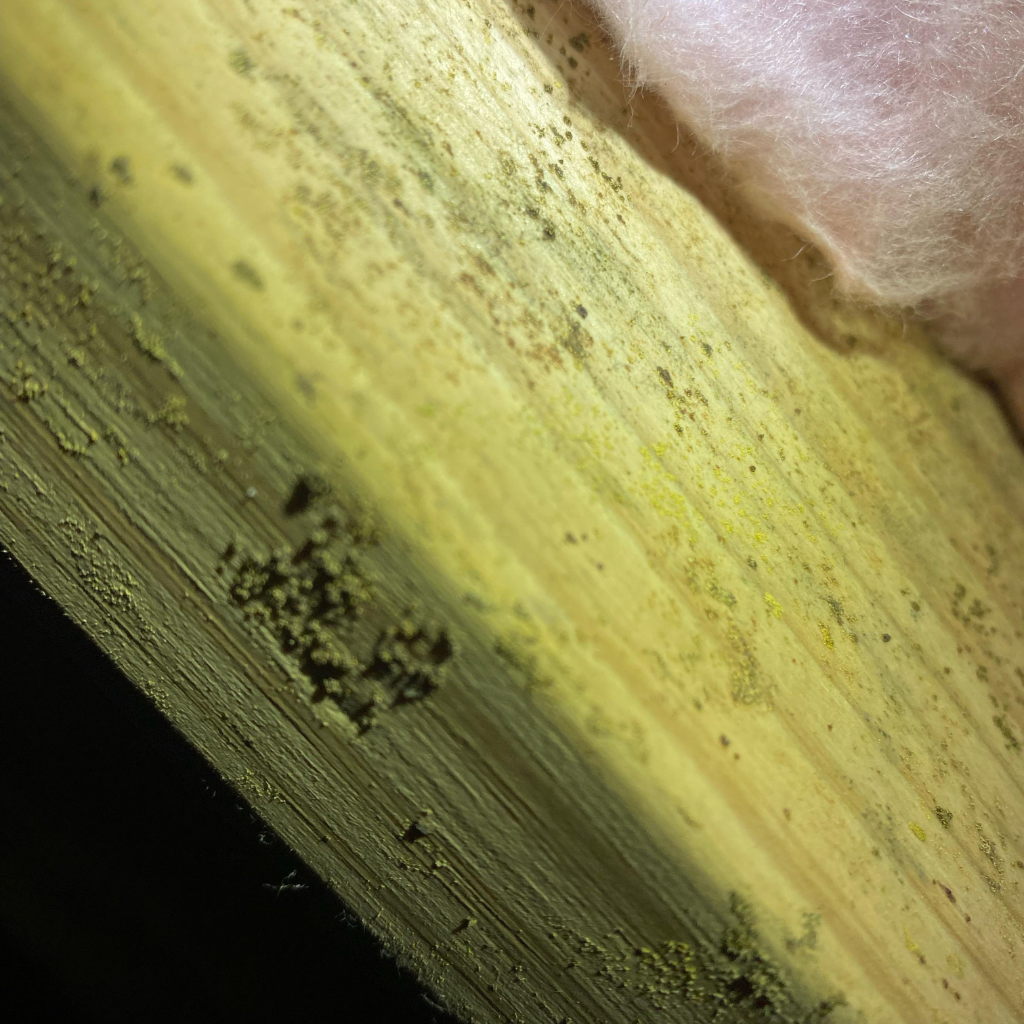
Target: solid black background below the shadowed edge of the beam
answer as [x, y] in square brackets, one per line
[135, 885]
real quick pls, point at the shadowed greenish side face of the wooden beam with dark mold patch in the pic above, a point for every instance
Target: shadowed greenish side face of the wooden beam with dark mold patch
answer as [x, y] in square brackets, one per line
[170, 511]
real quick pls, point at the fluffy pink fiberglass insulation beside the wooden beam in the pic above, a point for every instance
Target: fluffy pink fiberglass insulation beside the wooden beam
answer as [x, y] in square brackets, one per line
[889, 134]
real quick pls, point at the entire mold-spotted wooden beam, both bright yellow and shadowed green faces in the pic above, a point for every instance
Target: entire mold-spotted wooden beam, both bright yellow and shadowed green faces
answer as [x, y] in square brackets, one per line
[624, 627]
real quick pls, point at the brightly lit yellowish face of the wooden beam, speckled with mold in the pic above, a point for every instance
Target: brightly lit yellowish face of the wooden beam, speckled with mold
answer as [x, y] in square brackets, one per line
[758, 557]
